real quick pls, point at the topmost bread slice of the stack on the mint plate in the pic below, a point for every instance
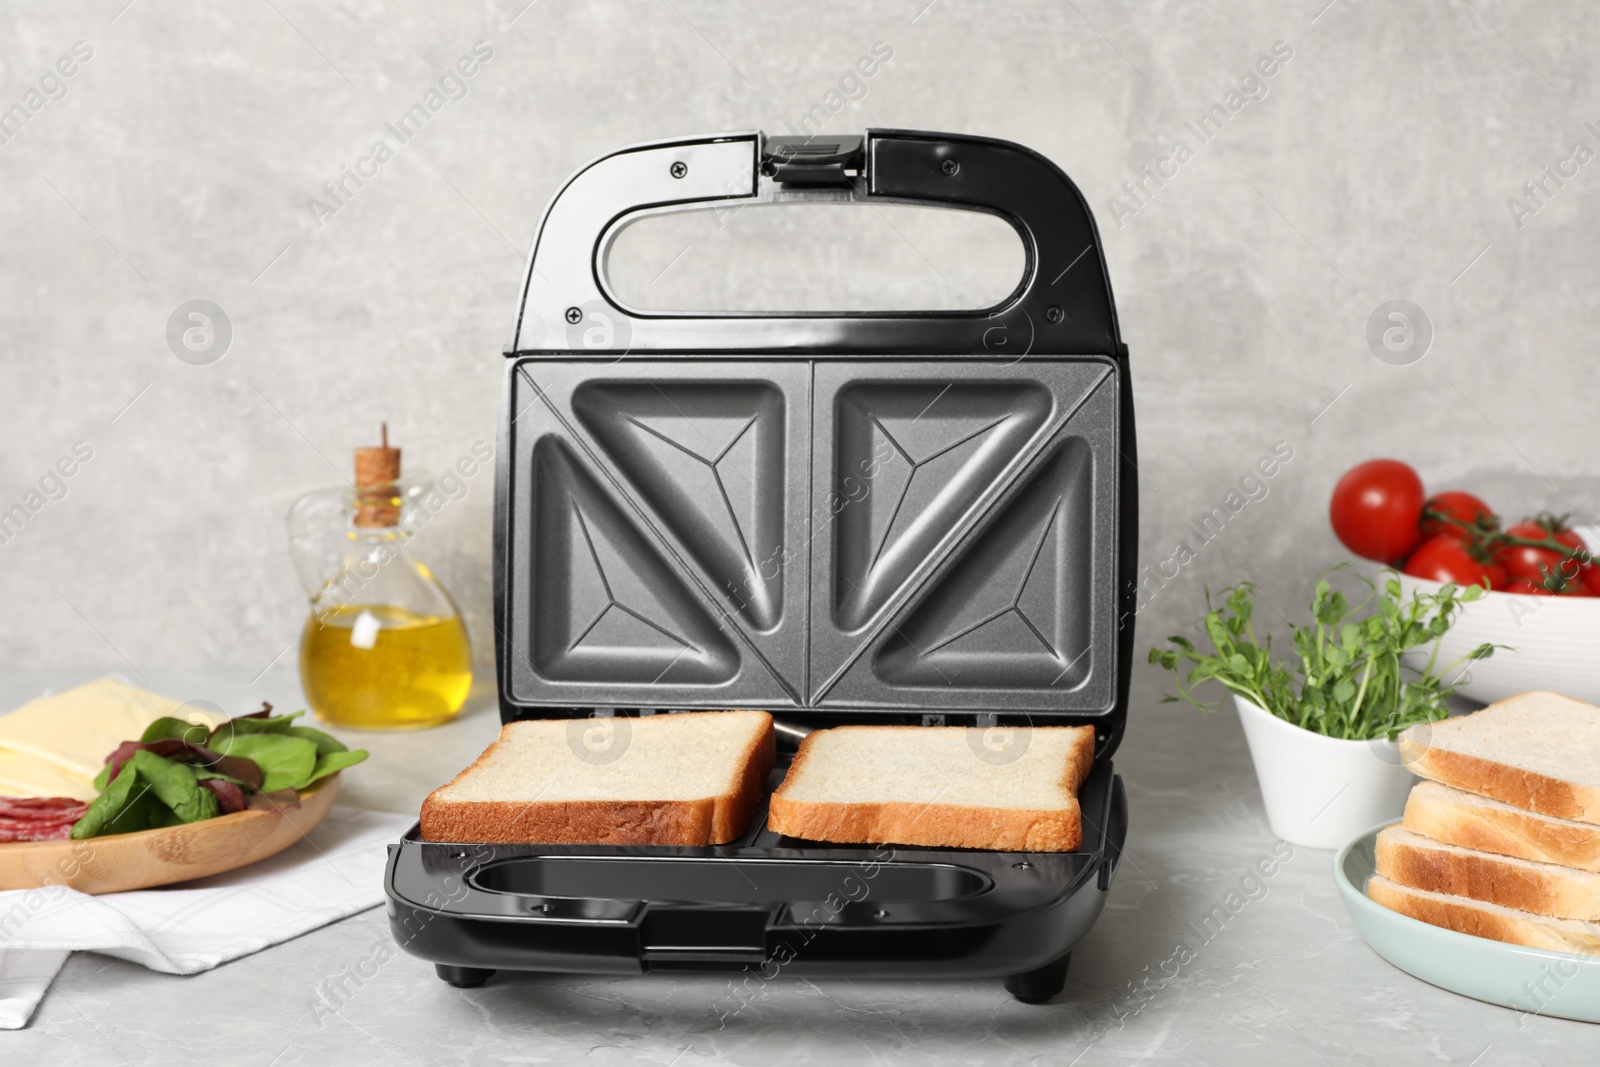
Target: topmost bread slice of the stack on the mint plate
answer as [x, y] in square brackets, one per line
[1537, 751]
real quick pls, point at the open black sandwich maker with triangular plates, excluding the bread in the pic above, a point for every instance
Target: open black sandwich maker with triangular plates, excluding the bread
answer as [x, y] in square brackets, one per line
[868, 518]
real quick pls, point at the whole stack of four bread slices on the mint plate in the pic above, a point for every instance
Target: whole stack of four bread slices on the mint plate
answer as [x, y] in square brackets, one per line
[1505, 839]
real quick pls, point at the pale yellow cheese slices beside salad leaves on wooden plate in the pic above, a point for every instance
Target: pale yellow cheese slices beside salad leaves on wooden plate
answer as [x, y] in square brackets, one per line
[74, 732]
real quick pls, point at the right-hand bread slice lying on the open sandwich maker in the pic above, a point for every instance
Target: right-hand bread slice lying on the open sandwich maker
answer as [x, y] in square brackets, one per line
[1007, 789]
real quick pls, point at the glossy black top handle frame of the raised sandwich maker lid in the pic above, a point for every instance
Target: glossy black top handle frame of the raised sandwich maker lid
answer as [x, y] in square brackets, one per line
[1062, 306]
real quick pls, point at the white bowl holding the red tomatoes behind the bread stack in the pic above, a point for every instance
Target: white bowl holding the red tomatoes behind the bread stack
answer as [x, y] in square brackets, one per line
[1553, 644]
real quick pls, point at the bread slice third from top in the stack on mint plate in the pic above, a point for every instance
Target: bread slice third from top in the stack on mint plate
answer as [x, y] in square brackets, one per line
[1422, 863]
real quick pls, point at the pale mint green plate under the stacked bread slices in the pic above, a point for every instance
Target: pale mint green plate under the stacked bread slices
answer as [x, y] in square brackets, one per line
[1534, 981]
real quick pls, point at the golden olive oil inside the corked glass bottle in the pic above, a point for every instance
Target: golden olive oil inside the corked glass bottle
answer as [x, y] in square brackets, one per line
[380, 666]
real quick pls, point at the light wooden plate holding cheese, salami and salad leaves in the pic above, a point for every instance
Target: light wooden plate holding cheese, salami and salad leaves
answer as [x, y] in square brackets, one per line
[156, 858]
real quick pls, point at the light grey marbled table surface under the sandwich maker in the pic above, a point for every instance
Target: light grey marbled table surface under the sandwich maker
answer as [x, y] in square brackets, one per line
[1286, 981]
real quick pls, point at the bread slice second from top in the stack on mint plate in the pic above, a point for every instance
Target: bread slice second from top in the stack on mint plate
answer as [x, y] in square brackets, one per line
[1490, 826]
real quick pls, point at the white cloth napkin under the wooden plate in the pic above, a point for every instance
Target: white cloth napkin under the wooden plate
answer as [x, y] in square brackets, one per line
[335, 873]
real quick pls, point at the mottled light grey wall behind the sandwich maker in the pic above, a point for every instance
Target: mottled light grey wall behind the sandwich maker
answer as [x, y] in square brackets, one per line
[180, 161]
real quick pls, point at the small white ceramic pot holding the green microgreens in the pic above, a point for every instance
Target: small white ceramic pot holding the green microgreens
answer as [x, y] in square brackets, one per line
[1321, 793]
